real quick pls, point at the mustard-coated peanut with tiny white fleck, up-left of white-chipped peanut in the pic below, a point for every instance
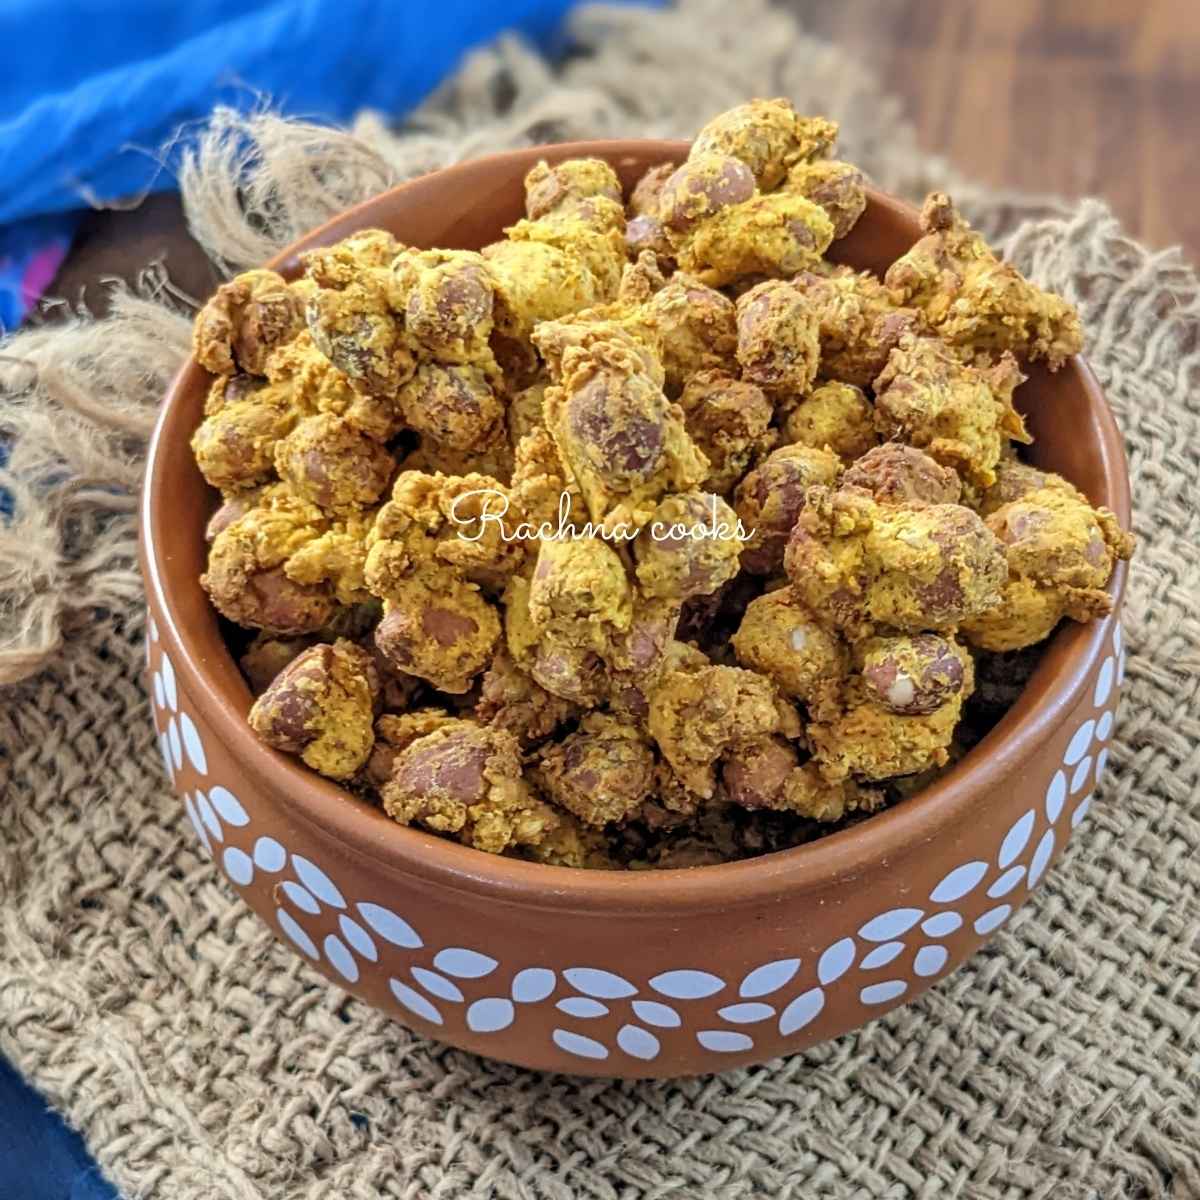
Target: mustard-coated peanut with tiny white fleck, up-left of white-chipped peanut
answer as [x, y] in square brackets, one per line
[783, 640]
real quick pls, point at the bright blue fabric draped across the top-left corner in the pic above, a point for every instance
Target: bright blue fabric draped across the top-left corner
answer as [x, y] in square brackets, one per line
[91, 91]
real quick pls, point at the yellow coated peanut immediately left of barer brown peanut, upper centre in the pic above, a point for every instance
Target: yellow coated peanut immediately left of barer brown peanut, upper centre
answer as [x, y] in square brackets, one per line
[698, 327]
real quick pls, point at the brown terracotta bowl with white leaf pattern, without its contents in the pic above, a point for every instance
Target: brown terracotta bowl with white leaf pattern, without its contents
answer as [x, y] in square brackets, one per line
[635, 975]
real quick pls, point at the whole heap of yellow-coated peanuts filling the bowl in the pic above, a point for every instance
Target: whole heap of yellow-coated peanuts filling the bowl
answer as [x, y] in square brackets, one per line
[645, 537]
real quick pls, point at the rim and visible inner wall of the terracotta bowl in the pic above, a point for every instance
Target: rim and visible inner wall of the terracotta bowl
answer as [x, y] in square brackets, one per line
[467, 207]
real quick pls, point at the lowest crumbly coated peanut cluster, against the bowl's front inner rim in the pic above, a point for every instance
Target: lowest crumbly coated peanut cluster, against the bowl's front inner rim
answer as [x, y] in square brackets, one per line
[465, 781]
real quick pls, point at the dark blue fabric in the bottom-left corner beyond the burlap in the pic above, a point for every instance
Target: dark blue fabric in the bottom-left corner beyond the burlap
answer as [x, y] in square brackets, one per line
[40, 1157]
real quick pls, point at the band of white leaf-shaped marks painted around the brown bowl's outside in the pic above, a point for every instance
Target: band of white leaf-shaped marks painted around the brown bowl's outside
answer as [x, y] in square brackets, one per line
[375, 932]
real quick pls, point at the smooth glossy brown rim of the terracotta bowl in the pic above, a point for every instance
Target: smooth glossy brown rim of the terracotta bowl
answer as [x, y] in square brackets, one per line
[1052, 693]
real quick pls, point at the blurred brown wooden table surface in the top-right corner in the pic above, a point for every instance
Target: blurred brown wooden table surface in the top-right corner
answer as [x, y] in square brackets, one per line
[1075, 98]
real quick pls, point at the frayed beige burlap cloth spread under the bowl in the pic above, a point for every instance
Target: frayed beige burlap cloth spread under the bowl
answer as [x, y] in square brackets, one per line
[201, 1060]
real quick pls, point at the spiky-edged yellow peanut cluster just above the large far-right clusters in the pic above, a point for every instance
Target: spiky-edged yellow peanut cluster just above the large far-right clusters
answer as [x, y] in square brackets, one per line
[961, 416]
